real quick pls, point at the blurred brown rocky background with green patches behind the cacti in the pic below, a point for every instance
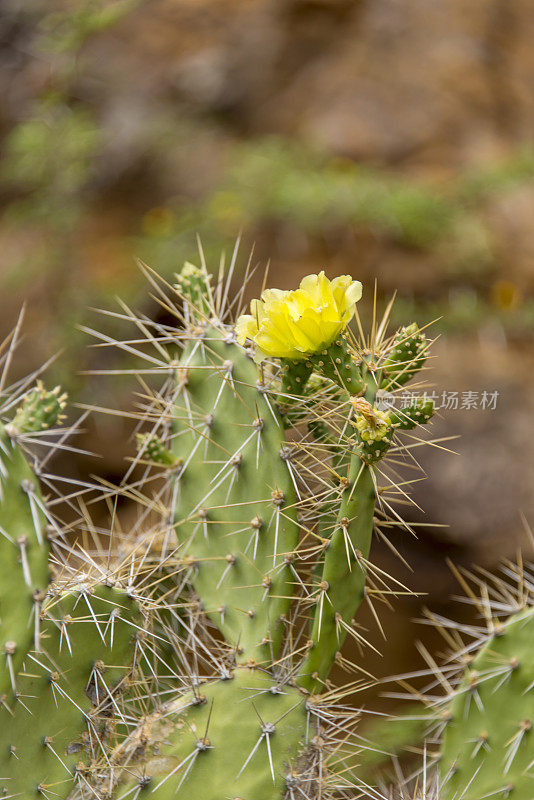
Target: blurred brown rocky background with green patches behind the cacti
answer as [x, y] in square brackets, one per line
[392, 139]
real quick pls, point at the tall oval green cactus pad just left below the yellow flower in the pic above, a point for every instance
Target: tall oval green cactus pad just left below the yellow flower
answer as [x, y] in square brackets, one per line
[235, 511]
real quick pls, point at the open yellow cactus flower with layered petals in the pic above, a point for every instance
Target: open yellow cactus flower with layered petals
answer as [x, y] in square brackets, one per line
[296, 324]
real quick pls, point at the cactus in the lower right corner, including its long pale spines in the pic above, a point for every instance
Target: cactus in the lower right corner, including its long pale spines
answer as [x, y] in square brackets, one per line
[482, 723]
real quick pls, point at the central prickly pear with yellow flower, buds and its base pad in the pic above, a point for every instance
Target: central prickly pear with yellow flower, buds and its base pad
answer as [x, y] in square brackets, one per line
[269, 436]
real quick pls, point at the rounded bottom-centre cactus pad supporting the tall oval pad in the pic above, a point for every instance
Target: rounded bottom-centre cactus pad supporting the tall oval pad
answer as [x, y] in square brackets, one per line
[233, 739]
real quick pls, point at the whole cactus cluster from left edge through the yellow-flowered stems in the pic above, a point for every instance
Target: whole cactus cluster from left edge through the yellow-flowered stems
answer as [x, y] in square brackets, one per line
[212, 679]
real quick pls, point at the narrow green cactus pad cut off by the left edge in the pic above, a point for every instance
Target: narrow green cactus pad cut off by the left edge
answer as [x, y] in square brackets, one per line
[24, 569]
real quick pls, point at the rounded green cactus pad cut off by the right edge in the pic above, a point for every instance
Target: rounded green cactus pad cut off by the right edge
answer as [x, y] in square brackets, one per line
[488, 744]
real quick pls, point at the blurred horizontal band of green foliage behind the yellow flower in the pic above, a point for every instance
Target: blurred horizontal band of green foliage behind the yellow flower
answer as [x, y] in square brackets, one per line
[275, 182]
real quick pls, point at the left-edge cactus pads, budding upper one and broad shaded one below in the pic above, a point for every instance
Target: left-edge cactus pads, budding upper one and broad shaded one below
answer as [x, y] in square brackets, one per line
[67, 647]
